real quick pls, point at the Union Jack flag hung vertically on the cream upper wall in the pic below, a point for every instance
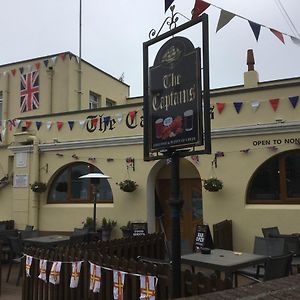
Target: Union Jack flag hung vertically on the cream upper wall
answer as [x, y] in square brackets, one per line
[29, 91]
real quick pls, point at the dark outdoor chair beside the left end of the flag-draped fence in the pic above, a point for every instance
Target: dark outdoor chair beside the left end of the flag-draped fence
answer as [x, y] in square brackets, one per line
[16, 247]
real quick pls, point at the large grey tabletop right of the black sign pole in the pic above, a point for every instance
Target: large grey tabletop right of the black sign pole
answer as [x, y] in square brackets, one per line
[221, 260]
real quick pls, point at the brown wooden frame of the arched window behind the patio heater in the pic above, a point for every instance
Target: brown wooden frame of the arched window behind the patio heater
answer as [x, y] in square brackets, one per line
[69, 196]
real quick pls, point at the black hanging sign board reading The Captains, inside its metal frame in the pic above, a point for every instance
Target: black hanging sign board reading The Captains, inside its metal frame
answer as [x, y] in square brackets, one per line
[175, 106]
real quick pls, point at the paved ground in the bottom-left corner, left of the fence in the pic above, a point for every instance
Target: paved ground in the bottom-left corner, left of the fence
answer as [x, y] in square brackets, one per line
[9, 290]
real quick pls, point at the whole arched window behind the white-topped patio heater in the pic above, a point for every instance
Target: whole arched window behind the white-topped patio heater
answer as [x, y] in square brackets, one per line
[67, 187]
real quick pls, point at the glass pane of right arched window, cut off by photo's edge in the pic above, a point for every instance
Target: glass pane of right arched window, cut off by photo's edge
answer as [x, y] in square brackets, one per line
[292, 169]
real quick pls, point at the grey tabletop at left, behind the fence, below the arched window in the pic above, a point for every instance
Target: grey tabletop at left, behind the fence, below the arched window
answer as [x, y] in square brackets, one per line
[48, 241]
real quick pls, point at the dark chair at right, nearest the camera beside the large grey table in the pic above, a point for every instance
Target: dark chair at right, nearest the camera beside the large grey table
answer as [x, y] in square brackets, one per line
[275, 267]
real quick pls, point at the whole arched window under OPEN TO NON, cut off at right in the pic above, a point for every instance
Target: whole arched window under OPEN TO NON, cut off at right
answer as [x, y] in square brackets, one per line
[277, 181]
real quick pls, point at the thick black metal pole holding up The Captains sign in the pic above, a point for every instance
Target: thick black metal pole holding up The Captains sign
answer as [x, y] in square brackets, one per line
[176, 205]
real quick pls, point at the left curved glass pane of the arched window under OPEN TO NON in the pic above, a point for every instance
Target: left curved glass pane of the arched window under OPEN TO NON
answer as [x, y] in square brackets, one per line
[266, 184]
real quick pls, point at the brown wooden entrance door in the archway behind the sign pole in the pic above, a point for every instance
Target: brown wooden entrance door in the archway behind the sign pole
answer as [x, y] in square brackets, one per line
[191, 213]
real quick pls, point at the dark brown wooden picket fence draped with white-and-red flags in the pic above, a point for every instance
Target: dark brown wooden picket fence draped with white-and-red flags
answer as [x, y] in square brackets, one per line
[114, 255]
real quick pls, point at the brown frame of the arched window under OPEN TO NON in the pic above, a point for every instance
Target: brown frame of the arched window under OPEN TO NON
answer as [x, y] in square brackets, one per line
[283, 189]
